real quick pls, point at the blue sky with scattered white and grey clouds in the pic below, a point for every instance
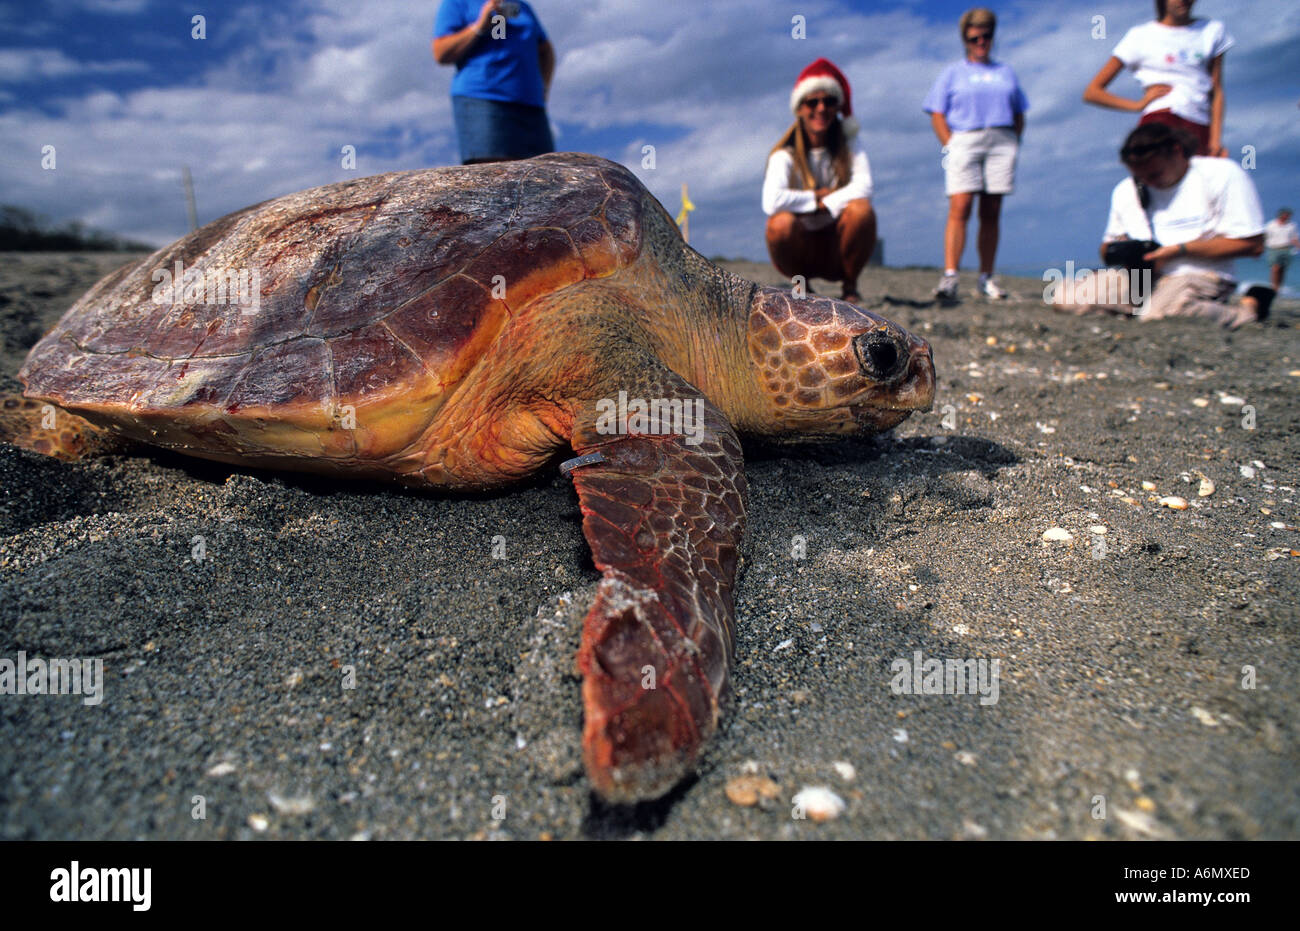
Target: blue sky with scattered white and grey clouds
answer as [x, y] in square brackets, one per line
[265, 105]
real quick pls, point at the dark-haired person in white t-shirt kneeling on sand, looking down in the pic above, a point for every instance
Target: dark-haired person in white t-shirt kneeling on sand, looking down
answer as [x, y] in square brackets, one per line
[1201, 214]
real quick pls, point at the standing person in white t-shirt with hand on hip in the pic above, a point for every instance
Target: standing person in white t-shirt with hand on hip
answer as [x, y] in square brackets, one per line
[1180, 63]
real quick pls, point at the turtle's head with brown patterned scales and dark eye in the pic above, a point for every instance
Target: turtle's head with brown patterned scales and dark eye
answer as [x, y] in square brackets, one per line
[829, 367]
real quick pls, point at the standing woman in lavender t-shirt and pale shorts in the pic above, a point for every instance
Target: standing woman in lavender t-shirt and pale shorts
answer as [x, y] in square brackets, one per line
[977, 109]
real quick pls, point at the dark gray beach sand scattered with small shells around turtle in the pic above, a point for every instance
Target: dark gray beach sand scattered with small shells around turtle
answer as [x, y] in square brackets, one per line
[1121, 665]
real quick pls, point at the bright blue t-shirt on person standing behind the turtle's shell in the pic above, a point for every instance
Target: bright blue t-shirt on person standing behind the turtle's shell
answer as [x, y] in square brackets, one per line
[497, 70]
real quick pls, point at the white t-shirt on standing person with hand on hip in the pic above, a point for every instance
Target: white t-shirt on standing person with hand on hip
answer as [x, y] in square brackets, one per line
[1180, 57]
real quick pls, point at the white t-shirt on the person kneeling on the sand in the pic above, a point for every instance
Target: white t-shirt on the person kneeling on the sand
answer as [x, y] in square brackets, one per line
[1216, 198]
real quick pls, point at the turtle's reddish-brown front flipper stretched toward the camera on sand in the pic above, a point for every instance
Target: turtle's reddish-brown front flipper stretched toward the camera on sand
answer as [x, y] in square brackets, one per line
[664, 513]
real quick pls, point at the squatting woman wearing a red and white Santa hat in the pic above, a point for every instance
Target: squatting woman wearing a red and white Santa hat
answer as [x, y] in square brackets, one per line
[817, 192]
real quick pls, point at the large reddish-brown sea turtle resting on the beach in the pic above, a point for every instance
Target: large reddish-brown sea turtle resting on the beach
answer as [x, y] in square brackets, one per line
[460, 328]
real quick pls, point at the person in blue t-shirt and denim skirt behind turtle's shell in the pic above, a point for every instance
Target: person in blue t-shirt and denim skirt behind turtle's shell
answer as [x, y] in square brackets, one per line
[504, 73]
